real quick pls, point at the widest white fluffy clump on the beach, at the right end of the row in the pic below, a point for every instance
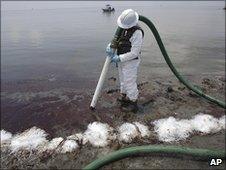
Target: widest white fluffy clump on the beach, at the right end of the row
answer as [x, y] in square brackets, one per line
[172, 129]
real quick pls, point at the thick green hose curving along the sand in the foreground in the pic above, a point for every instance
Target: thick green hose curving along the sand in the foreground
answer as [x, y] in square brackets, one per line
[204, 154]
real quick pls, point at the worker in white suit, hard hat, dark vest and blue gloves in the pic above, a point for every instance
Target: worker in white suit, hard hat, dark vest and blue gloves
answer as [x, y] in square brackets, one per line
[128, 58]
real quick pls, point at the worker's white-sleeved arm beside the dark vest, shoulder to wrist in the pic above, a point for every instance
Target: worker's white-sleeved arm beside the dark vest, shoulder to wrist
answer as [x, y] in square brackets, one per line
[136, 43]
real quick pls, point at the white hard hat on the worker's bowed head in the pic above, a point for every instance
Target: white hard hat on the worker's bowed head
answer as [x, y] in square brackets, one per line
[128, 19]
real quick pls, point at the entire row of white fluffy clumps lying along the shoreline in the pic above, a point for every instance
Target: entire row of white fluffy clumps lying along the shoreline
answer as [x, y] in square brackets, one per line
[100, 134]
